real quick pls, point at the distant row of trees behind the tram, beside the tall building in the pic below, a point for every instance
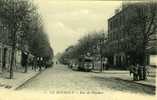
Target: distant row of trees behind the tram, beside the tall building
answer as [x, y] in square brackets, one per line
[90, 44]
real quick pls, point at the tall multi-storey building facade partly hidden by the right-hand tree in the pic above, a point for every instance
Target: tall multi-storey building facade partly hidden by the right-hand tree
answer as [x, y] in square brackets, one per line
[118, 36]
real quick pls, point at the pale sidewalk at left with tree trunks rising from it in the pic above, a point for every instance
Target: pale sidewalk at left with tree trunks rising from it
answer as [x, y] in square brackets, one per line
[19, 79]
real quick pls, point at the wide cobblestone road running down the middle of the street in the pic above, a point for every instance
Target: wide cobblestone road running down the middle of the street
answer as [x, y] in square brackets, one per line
[62, 79]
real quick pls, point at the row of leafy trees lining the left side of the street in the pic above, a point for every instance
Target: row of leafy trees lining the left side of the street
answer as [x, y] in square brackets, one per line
[22, 26]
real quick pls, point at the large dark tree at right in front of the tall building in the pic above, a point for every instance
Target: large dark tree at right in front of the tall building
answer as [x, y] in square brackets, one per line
[145, 20]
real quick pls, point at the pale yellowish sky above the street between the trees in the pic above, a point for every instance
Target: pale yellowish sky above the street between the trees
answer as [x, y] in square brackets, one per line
[66, 22]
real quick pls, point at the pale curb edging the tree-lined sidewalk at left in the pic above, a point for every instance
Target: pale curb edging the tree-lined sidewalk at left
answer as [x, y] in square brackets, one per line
[27, 80]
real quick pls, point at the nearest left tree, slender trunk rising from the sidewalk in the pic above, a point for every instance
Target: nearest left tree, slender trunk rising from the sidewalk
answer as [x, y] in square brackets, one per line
[13, 13]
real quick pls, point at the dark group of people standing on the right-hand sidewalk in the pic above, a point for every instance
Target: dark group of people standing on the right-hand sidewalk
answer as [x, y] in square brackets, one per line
[138, 71]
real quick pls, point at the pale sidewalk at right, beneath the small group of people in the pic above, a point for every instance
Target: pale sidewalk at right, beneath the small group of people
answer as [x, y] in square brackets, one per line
[125, 75]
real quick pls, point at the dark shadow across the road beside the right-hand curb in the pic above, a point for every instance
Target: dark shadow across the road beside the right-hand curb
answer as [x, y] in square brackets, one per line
[122, 85]
